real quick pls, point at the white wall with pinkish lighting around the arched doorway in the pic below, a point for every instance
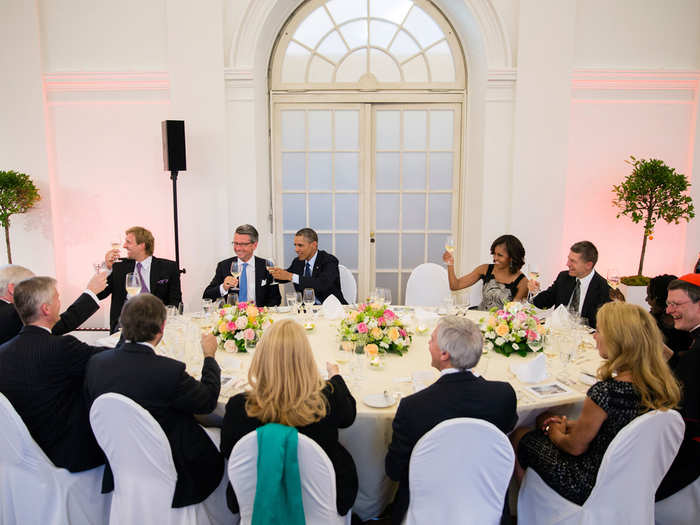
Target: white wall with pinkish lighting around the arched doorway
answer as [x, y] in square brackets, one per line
[553, 109]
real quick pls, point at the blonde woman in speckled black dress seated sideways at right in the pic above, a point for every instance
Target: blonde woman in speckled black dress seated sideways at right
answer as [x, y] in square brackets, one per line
[634, 379]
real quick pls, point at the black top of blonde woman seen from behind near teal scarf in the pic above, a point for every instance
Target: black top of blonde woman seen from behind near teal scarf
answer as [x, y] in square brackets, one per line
[340, 413]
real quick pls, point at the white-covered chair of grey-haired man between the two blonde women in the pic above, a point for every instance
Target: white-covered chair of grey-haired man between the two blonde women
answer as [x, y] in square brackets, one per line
[459, 473]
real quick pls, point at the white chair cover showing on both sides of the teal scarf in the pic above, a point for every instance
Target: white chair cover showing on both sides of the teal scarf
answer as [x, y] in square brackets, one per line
[317, 480]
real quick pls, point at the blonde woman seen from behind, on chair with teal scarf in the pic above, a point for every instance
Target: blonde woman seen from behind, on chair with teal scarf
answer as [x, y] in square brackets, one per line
[287, 388]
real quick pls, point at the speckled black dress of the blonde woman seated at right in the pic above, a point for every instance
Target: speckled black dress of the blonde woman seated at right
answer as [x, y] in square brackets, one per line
[573, 477]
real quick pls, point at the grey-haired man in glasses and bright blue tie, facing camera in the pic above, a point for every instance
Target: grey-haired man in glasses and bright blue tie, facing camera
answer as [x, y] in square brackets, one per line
[256, 284]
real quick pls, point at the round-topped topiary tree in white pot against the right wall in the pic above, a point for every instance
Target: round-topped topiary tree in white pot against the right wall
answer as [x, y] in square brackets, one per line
[651, 192]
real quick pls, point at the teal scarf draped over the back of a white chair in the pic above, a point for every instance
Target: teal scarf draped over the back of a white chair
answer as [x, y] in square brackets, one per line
[278, 490]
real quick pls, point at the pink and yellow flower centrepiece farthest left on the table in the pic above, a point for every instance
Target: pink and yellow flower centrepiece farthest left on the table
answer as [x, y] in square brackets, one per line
[240, 327]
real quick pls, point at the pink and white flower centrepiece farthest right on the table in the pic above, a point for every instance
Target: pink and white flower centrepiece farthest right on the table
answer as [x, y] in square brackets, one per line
[512, 329]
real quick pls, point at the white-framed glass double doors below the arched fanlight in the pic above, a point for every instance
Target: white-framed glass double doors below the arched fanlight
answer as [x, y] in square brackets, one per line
[378, 182]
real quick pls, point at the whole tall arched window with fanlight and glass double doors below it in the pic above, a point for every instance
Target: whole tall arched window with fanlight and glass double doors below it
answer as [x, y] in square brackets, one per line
[366, 102]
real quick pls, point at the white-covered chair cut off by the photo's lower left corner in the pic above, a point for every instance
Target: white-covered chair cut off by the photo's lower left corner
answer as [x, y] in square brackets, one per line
[34, 491]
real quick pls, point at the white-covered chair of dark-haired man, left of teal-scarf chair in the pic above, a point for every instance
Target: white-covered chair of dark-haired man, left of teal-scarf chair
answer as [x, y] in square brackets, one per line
[142, 464]
